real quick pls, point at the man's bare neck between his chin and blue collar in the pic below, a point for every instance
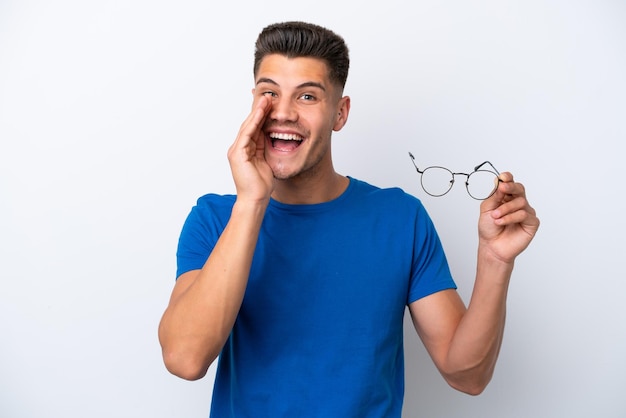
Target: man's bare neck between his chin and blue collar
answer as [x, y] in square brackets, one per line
[307, 191]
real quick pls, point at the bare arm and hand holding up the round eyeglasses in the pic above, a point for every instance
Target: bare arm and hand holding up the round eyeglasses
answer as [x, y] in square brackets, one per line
[464, 343]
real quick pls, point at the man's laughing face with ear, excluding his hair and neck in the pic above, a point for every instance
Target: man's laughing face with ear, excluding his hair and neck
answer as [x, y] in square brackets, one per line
[306, 108]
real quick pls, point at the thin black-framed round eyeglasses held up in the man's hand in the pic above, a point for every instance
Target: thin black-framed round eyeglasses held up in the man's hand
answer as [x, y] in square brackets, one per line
[437, 181]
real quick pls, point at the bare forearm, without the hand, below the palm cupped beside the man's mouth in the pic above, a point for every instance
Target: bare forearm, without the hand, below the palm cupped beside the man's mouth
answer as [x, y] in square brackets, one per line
[202, 312]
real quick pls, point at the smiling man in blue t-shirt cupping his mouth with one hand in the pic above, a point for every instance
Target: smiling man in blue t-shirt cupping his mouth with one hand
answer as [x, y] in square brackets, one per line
[299, 282]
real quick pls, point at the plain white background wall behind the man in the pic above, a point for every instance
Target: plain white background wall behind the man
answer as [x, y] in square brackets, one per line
[115, 116]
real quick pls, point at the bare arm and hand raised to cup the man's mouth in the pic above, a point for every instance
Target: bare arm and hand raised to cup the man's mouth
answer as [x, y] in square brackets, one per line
[204, 303]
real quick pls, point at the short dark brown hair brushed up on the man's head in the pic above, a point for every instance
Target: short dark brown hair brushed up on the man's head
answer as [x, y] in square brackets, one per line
[301, 39]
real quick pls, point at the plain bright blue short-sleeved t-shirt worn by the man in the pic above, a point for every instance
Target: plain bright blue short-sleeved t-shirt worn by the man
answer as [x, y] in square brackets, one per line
[320, 330]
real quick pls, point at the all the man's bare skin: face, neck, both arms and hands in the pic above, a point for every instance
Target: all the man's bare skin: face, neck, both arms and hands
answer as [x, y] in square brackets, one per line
[295, 97]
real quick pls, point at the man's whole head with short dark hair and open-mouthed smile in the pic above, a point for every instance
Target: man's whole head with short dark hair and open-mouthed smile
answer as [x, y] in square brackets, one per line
[301, 70]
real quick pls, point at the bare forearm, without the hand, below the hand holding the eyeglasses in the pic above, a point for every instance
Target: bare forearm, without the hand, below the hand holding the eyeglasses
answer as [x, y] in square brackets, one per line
[477, 340]
